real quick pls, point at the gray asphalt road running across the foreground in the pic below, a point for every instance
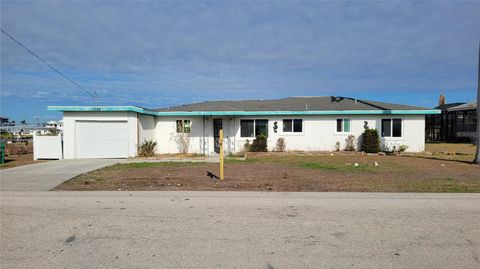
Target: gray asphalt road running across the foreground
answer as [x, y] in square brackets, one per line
[239, 230]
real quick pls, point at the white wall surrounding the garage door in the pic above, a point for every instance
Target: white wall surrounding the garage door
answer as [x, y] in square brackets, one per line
[69, 119]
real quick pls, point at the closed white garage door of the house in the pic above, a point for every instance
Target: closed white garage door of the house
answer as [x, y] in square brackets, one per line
[101, 139]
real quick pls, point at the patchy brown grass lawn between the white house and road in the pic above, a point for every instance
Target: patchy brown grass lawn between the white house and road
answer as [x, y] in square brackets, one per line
[290, 172]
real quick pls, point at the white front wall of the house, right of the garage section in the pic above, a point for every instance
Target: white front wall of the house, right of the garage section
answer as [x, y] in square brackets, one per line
[319, 133]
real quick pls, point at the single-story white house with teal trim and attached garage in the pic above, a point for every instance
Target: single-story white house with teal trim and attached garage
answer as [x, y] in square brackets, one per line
[306, 124]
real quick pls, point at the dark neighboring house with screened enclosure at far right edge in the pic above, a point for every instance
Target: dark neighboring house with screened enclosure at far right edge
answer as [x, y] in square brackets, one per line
[456, 123]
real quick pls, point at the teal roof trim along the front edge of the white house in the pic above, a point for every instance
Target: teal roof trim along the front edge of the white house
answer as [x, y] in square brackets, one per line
[242, 113]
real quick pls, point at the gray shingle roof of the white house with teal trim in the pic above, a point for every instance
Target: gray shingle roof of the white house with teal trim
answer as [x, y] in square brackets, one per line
[321, 103]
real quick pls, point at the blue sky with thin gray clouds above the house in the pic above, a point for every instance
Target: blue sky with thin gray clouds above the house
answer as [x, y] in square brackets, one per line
[158, 54]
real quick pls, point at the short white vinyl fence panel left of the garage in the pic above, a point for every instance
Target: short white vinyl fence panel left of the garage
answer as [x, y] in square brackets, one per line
[47, 147]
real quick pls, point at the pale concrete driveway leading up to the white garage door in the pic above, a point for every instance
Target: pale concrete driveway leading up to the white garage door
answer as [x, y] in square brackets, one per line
[46, 175]
